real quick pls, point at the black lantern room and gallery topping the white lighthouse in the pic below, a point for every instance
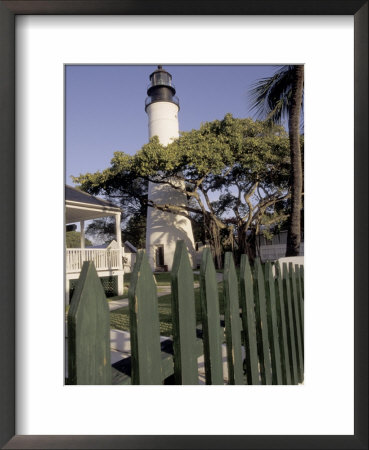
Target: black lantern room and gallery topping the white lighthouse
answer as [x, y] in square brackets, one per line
[161, 88]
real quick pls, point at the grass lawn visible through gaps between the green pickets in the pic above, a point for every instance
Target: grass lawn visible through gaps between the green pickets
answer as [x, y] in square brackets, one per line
[119, 319]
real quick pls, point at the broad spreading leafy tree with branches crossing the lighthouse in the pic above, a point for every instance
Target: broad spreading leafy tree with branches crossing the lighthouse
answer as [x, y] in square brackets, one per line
[229, 169]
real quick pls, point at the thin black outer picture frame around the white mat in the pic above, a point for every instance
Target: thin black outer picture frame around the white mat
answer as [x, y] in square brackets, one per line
[8, 12]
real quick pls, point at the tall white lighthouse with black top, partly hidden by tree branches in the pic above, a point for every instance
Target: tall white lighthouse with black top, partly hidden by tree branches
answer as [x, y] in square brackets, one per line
[164, 229]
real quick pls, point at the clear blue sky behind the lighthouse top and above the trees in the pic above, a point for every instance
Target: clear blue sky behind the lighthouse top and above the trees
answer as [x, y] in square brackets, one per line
[105, 106]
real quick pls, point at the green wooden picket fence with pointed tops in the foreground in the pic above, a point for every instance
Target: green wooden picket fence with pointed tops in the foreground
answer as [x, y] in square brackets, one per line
[262, 328]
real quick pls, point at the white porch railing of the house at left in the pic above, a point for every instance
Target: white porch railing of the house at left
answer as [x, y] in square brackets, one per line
[104, 259]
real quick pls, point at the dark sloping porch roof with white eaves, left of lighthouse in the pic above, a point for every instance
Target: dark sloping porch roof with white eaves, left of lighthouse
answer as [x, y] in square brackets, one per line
[82, 206]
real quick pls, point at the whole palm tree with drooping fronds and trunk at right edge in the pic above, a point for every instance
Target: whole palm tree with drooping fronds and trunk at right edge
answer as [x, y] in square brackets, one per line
[276, 98]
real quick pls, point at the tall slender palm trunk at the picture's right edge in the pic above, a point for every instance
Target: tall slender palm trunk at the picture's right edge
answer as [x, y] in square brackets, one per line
[294, 231]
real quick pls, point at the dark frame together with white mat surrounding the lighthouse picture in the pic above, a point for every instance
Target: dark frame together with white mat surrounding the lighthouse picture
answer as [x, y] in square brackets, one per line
[330, 411]
